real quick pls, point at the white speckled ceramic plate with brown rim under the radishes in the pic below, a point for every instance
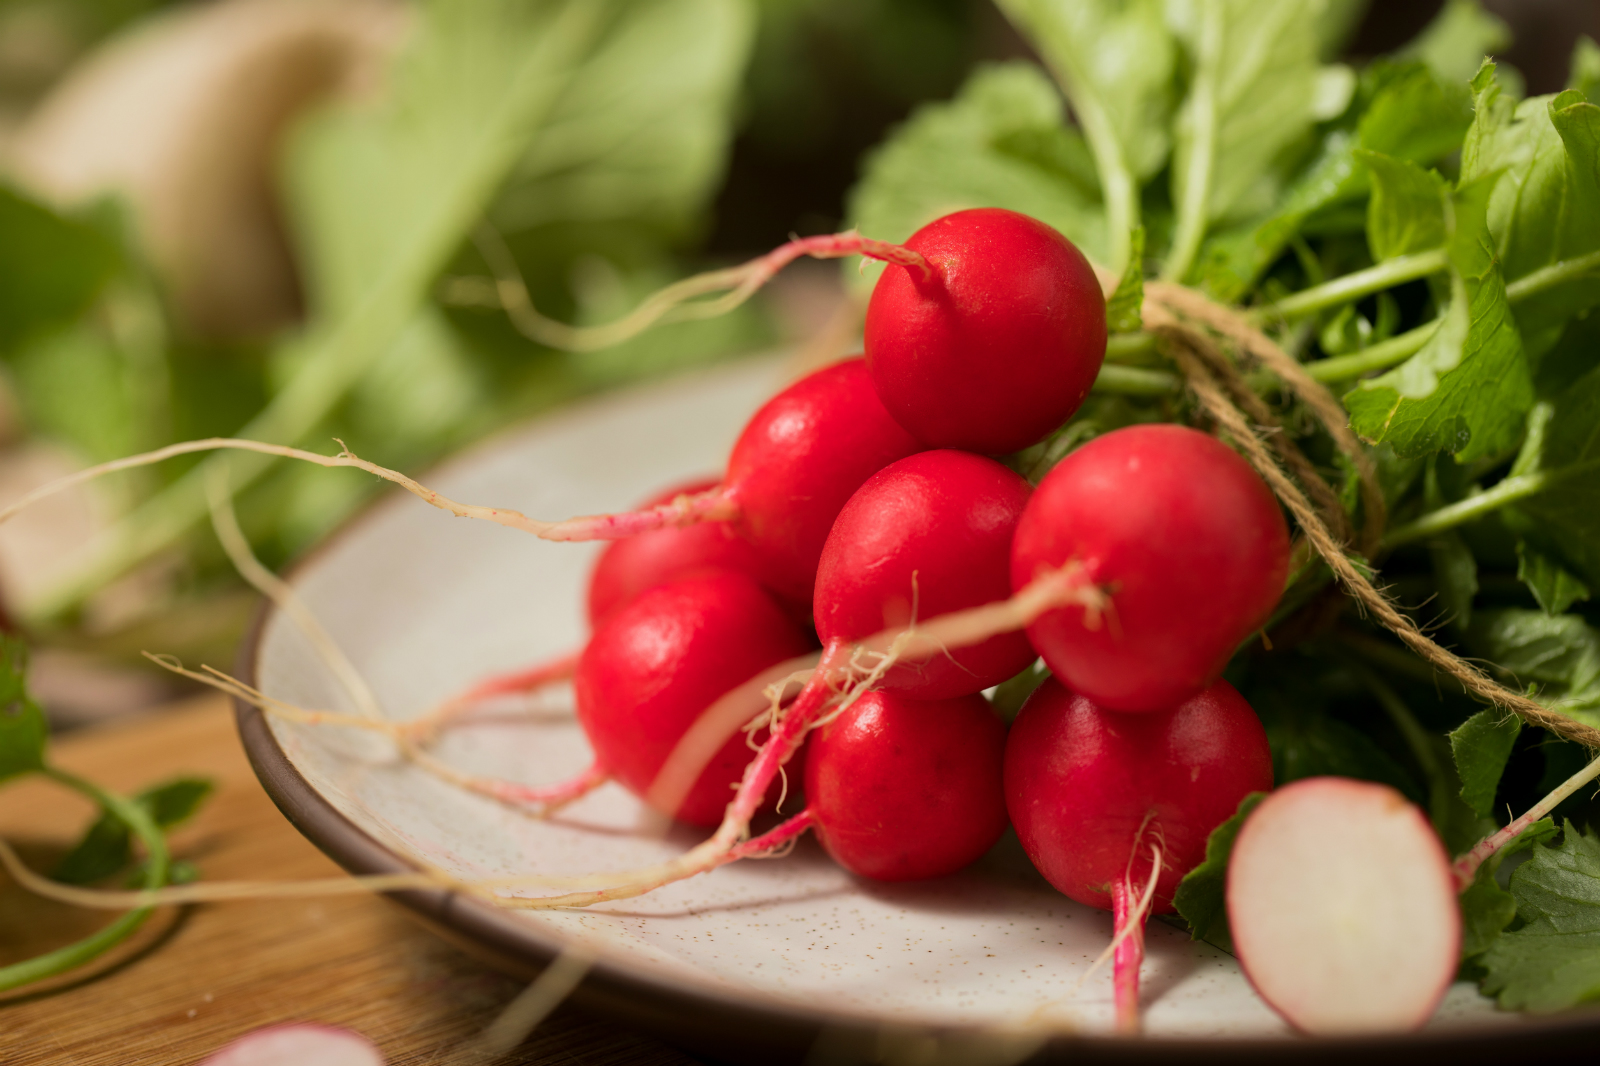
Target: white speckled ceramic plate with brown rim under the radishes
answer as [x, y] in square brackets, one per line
[759, 958]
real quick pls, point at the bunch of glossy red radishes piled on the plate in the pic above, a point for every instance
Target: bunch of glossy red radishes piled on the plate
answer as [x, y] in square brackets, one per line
[866, 502]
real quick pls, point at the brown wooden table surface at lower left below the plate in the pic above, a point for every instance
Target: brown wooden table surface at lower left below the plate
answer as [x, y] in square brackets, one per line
[198, 977]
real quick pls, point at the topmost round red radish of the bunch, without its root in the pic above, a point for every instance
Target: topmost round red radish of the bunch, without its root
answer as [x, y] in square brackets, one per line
[1001, 347]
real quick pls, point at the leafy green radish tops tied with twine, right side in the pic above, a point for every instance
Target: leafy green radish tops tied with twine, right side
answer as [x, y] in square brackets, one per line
[1428, 244]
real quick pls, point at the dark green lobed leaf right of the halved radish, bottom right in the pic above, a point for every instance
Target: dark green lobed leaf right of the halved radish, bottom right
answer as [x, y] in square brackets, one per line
[1553, 960]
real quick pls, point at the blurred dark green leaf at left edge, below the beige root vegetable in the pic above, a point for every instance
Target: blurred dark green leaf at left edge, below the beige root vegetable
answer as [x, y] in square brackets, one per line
[50, 266]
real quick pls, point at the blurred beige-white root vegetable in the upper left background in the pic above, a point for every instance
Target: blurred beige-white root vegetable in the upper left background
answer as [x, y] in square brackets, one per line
[183, 118]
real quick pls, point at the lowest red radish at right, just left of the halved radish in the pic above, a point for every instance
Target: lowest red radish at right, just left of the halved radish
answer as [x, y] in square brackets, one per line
[1081, 782]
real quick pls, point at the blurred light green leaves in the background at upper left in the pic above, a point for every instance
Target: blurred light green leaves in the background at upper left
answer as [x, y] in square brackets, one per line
[588, 134]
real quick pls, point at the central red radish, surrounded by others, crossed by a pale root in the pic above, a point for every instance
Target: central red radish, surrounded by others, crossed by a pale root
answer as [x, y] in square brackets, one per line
[937, 526]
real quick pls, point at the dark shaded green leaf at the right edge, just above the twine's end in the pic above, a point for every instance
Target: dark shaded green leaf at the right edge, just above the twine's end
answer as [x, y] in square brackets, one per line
[1564, 519]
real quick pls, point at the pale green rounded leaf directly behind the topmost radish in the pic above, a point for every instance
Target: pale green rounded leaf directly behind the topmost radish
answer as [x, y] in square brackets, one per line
[950, 158]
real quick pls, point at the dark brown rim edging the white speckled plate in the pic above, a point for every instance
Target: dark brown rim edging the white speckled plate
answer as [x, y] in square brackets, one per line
[761, 1028]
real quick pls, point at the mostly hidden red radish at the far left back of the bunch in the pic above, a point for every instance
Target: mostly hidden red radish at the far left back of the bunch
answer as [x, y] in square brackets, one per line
[634, 566]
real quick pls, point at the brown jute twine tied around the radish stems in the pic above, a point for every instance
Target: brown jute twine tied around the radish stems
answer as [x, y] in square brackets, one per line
[1188, 326]
